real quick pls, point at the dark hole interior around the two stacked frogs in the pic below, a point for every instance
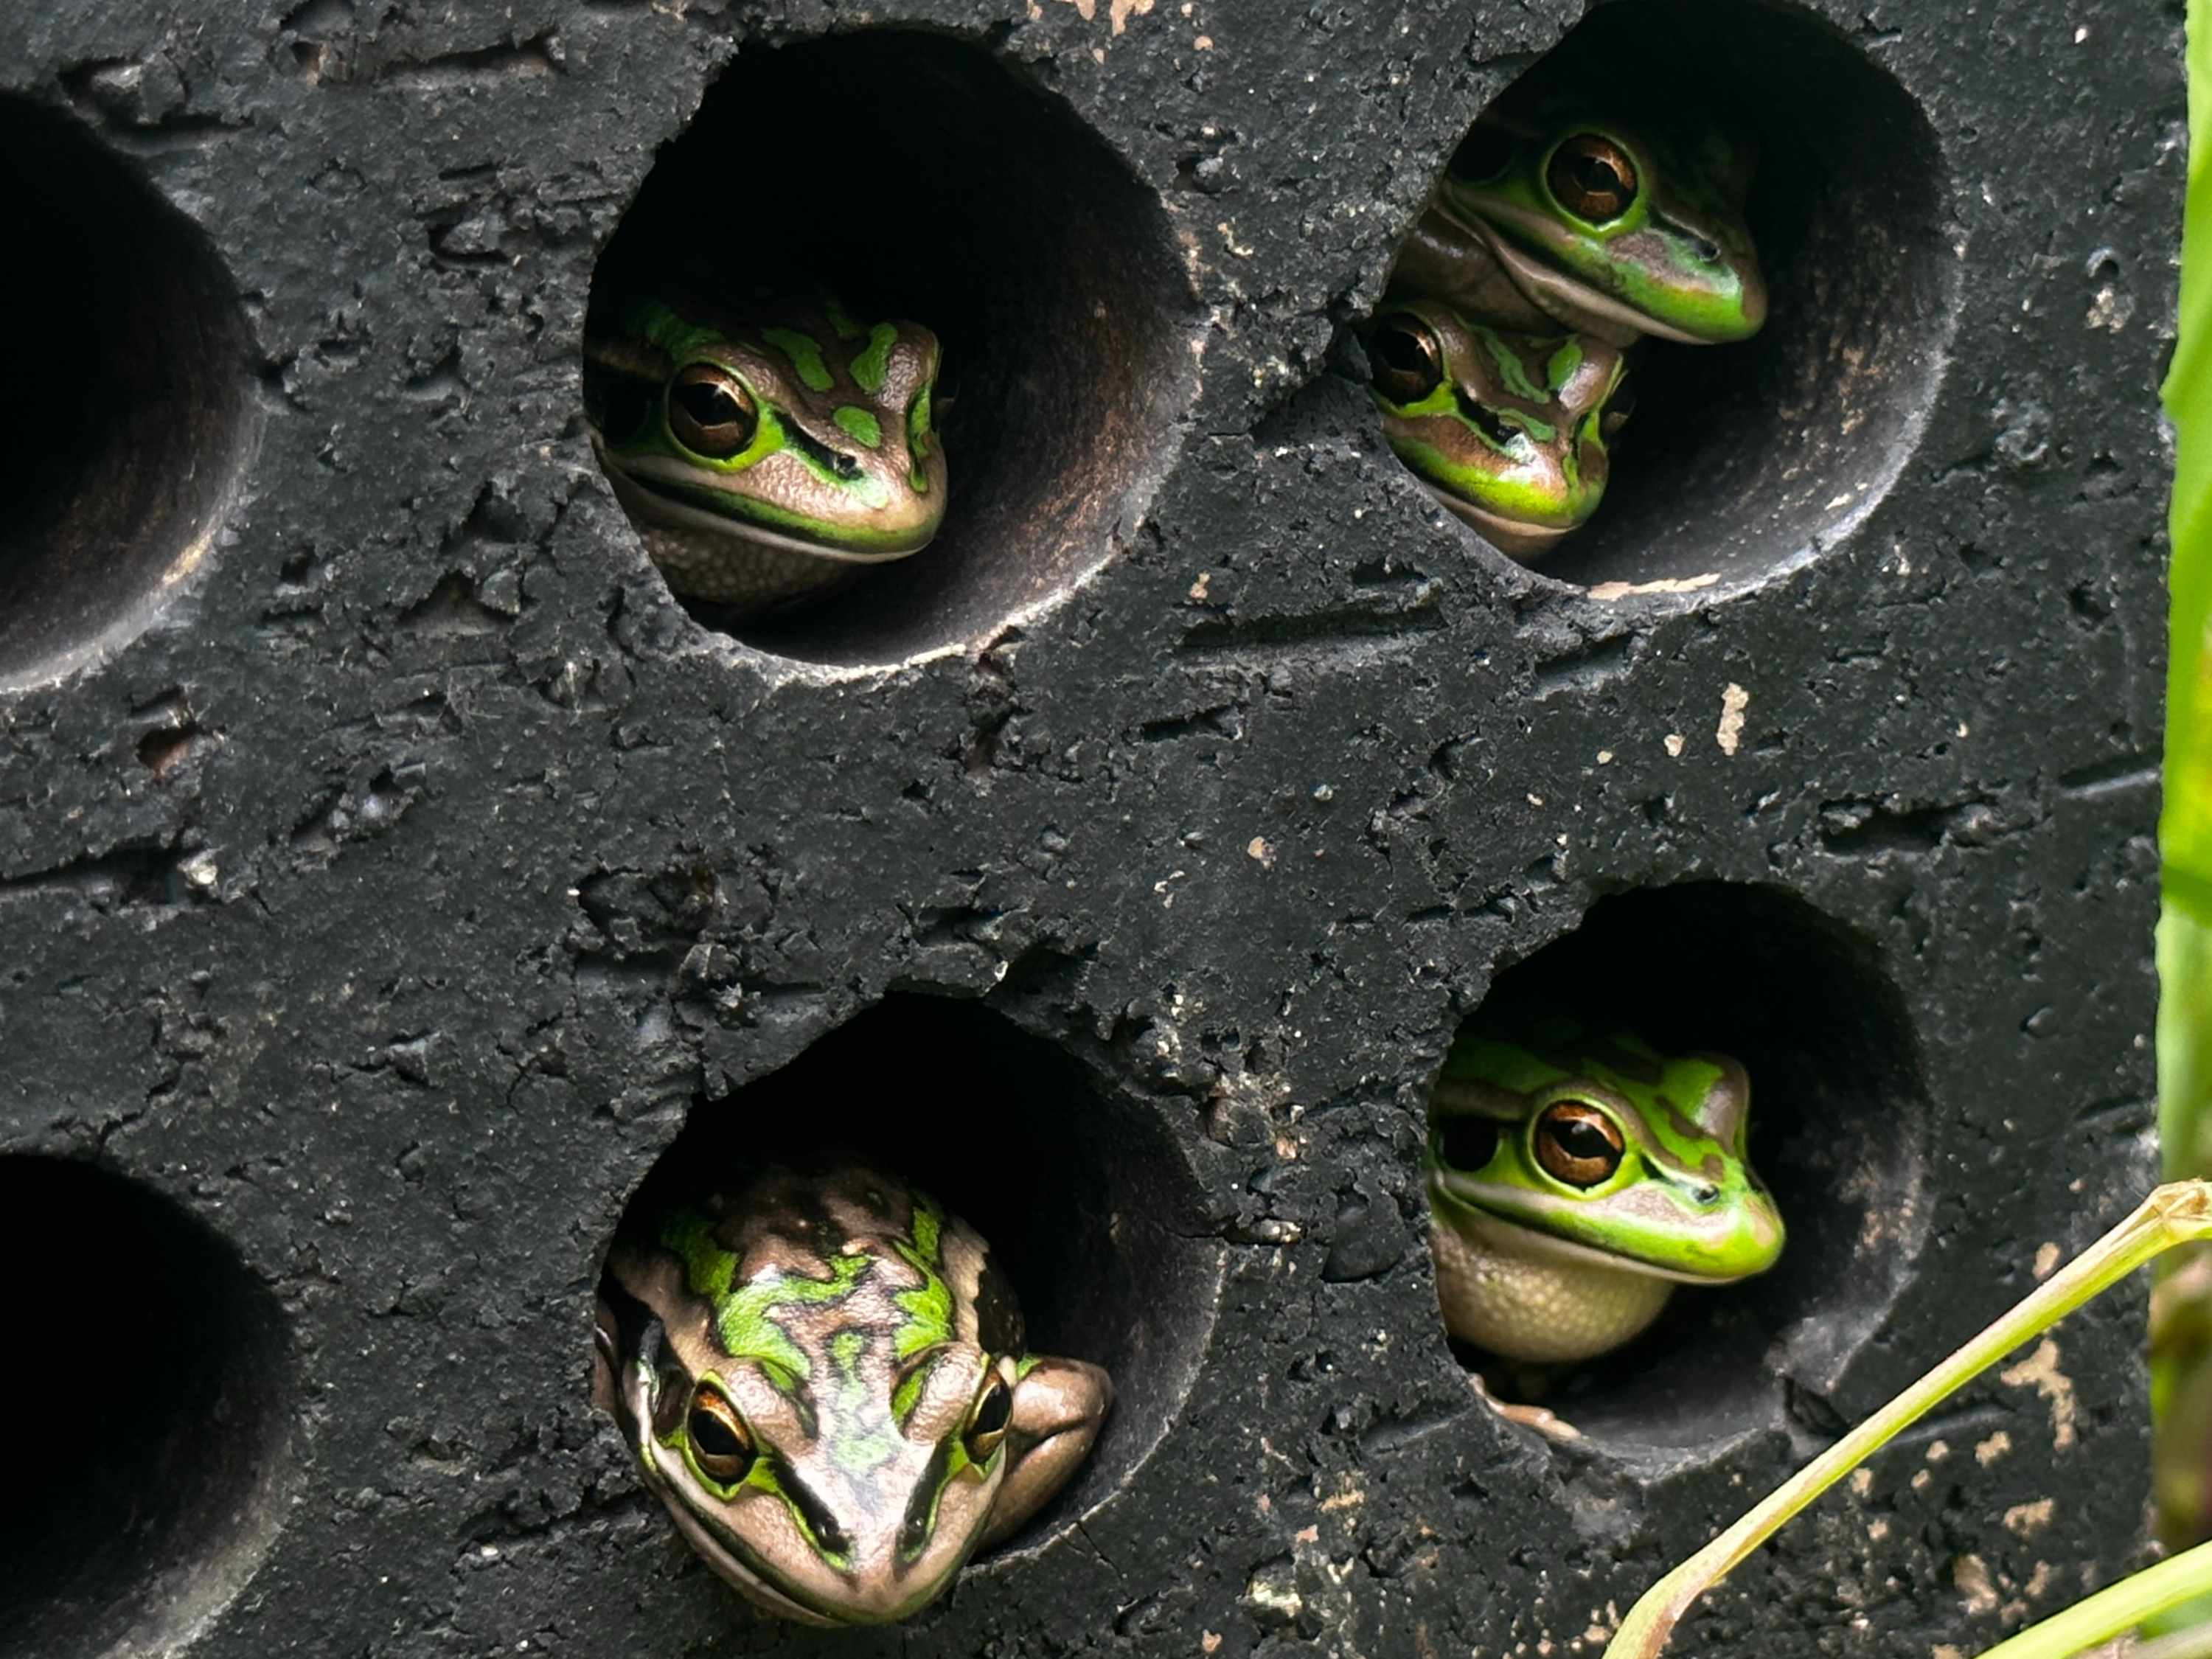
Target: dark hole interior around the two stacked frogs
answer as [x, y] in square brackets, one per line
[1749, 459]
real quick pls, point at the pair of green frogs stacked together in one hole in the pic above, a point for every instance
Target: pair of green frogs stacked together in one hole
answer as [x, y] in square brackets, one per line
[1561, 236]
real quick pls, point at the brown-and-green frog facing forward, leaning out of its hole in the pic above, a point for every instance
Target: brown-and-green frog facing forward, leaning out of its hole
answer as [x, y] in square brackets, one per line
[822, 1375]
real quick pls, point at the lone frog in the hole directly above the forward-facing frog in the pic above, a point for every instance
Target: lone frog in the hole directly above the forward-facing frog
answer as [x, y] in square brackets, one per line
[766, 455]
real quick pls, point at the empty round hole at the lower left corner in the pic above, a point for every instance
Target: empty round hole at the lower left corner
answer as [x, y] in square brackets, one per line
[154, 1401]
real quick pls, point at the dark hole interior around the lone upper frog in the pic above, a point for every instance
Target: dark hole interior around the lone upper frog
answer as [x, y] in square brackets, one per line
[954, 194]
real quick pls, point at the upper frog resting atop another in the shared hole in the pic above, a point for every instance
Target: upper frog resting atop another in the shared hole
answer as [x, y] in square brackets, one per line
[1558, 218]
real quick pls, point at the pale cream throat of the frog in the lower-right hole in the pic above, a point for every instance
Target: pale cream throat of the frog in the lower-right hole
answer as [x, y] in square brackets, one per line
[1530, 1306]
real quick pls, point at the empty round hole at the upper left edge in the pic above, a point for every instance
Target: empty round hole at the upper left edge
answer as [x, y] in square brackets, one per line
[132, 408]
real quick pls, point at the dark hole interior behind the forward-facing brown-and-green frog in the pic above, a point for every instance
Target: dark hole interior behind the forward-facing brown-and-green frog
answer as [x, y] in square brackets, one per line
[1083, 1196]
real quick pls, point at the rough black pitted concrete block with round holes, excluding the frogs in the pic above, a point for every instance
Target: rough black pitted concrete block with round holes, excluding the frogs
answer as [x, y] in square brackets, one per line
[393, 870]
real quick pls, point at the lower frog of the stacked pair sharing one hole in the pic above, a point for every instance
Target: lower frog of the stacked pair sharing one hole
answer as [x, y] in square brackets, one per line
[1505, 430]
